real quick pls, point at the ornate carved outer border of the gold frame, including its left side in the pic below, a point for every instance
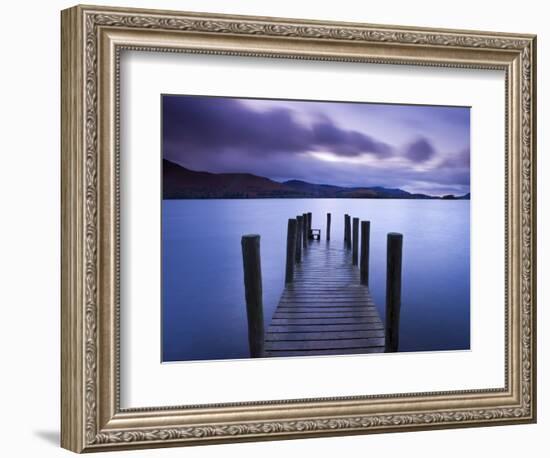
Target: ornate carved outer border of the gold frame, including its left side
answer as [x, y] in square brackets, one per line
[81, 422]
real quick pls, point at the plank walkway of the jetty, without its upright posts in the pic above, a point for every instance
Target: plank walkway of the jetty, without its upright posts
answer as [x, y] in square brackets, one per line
[325, 310]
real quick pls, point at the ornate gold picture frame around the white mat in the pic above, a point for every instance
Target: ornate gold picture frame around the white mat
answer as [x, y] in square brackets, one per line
[92, 38]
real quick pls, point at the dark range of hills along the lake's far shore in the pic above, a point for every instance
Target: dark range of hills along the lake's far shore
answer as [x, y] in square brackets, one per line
[182, 183]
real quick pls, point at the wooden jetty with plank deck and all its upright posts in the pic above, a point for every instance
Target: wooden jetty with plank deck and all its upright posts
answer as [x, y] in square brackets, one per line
[325, 307]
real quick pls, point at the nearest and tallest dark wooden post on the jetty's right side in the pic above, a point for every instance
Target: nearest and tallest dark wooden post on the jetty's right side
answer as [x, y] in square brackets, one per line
[393, 290]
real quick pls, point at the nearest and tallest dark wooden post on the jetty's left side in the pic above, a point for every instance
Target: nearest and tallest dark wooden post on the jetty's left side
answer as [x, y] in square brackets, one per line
[253, 293]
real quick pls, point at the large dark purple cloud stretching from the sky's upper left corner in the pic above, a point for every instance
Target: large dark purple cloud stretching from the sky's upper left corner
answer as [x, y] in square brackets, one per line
[206, 126]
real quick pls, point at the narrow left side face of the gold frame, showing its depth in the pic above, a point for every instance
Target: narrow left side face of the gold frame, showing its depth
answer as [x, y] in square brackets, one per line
[72, 252]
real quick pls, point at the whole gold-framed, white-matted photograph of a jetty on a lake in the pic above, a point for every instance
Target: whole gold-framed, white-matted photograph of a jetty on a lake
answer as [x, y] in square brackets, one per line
[277, 228]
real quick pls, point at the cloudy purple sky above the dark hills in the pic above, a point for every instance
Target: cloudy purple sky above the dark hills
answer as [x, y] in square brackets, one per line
[417, 148]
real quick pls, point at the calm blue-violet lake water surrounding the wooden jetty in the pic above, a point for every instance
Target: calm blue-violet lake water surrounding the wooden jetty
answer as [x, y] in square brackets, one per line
[203, 307]
